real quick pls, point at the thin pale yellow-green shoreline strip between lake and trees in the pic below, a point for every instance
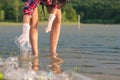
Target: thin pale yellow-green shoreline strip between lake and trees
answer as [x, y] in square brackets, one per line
[71, 24]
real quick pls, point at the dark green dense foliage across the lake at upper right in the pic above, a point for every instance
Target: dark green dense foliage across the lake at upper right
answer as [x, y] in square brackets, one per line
[98, 11]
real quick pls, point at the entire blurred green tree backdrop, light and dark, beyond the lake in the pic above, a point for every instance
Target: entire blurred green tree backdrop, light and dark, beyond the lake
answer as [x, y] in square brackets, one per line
[90, 11]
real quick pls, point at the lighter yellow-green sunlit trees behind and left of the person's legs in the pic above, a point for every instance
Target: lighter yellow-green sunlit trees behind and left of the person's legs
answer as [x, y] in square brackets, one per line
[11, 10]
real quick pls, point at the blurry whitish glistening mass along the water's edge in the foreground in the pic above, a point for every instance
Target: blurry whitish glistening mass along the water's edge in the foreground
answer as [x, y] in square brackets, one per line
[12, 70]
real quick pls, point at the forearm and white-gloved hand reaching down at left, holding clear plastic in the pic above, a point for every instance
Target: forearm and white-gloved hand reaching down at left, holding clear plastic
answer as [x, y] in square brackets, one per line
[23, 39]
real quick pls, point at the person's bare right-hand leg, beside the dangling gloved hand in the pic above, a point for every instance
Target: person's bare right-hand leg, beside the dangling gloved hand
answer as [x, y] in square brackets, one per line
[54, 35]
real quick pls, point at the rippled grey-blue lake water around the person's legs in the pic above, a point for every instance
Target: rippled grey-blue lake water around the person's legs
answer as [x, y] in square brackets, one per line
[93, 49]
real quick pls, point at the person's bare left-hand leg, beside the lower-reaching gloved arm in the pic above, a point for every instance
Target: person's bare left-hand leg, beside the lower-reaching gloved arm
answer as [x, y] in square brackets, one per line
[34, 32]
